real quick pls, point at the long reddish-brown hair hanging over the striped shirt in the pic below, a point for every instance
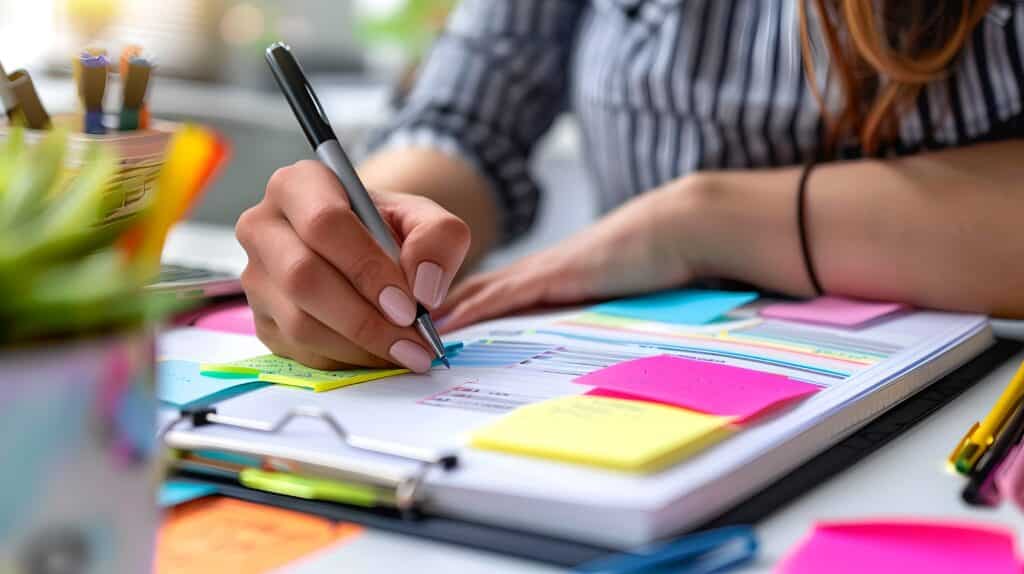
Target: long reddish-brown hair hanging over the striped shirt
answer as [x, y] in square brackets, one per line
[882, 56]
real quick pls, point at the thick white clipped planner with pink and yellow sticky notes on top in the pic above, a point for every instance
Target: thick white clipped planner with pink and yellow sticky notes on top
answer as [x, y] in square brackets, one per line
[441, 443]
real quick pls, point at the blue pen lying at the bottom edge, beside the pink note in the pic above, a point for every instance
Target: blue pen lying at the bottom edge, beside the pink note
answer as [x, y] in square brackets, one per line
[704, 553]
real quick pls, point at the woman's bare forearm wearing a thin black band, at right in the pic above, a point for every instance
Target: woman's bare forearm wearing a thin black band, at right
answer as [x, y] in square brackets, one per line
[940, 230]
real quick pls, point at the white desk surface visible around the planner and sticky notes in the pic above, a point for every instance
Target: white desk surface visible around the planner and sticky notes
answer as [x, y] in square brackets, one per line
[906, 478]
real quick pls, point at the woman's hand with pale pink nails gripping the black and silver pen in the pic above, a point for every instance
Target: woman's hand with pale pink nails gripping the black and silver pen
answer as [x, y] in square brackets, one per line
[324, 293]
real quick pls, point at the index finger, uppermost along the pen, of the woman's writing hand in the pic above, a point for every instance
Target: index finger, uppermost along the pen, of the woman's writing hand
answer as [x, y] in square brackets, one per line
[313, 201]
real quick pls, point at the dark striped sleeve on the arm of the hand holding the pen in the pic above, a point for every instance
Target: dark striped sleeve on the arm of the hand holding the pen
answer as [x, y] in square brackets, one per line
[492, 86]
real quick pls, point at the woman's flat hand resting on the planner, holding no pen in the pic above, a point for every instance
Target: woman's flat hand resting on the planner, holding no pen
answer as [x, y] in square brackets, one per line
[642, 247]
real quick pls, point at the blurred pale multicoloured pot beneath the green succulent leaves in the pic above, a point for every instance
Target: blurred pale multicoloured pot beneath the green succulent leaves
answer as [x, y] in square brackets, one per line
[78, 445]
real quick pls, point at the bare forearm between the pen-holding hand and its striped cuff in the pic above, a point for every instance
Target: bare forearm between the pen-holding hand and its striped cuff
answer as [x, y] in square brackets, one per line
[454, 185]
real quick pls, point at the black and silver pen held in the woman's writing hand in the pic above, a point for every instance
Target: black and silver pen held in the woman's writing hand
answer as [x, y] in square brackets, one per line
[314, 120]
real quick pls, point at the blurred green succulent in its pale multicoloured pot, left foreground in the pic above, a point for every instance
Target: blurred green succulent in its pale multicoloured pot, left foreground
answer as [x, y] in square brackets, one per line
[77, 407]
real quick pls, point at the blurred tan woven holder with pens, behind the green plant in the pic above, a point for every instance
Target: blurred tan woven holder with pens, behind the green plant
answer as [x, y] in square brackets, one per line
[141, 156]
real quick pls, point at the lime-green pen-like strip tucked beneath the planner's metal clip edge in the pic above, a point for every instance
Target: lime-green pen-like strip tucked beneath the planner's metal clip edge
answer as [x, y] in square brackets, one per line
[311, 489]
